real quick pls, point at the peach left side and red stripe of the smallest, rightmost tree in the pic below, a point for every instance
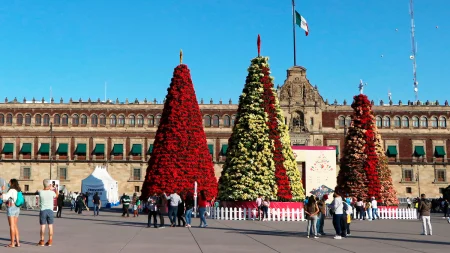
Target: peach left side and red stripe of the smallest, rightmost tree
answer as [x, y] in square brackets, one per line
[358, 175]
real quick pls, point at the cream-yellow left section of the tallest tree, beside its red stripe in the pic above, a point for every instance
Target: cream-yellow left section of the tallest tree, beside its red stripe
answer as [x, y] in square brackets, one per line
[249, 169]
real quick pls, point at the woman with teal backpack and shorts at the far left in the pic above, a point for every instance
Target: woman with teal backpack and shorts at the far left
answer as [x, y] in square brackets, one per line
[14, 200]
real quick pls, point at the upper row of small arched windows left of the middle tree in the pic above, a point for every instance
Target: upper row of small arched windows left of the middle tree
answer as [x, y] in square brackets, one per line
[95, 120]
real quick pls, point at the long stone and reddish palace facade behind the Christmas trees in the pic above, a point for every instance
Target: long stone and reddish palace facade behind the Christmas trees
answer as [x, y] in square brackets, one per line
[66, 140]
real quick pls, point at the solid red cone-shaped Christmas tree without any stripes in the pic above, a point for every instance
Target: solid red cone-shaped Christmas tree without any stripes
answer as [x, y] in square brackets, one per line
[180, 152]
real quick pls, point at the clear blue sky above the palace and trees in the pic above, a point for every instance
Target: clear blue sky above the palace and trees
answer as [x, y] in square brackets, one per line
[71, 48]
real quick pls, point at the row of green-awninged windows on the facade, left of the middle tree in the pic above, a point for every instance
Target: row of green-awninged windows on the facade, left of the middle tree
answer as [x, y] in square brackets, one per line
[62, 149]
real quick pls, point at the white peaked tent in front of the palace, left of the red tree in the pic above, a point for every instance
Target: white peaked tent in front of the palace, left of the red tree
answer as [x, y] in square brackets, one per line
[102, 183]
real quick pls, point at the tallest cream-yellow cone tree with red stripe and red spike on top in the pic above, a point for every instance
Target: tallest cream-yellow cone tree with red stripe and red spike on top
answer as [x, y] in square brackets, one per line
[247, 172]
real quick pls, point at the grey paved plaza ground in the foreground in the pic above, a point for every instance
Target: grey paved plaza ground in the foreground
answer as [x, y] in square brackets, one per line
[111, 233]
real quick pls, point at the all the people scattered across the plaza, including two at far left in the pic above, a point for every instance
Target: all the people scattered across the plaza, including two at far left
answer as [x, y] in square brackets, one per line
[180, 207]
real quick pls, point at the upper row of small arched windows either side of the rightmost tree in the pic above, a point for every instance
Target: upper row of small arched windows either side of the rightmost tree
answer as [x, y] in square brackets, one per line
[404, 121]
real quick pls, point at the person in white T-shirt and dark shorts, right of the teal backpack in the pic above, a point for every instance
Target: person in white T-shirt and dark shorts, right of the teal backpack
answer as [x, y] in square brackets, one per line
[46, 216]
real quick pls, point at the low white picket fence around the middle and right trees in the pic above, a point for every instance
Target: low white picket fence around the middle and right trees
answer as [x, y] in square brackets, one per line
[277, 214]
